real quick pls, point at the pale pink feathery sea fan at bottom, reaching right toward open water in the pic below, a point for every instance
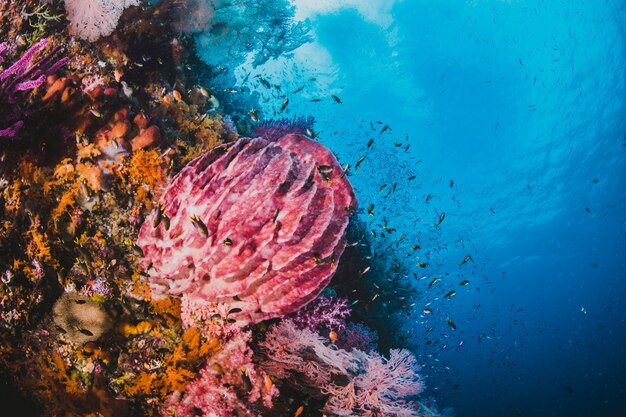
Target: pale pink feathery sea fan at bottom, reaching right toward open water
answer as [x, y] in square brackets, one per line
[375, 386]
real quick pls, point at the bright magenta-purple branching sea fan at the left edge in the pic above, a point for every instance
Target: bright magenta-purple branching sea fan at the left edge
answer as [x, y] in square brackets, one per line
[25, 74]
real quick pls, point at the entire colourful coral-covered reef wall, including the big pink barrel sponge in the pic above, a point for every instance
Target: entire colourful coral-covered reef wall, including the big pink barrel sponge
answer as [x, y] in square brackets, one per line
[152, 259]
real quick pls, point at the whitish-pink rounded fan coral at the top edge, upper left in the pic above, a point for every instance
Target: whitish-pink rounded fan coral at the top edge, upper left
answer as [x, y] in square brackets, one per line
[91, 19]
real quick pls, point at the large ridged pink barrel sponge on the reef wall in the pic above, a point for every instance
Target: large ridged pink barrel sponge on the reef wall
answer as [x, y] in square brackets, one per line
[257, 224]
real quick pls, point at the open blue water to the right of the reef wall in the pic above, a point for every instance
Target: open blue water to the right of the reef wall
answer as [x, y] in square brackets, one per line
[522, 105]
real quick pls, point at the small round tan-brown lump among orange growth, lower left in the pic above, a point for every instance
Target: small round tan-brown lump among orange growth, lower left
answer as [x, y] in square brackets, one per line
[82, 319]
